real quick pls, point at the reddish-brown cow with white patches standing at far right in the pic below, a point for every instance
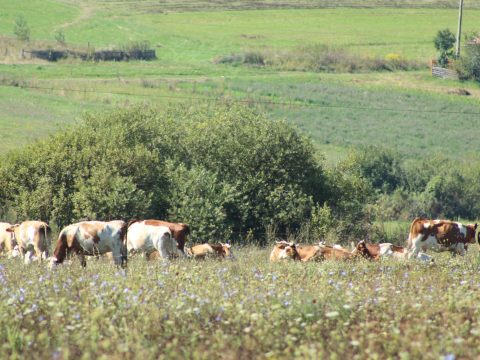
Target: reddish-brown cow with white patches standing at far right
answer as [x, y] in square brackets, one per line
[440, 235]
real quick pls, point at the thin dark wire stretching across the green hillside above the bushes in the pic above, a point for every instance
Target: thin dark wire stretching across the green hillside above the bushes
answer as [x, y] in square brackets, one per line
[249, 101]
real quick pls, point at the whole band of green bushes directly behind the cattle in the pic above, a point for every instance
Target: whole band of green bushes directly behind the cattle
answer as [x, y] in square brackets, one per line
[229, 172]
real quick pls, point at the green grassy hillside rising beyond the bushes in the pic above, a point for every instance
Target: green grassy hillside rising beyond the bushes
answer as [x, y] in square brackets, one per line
[336, 110]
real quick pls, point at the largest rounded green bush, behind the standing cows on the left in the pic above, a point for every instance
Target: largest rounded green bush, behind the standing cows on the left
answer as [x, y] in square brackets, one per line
[225, 169]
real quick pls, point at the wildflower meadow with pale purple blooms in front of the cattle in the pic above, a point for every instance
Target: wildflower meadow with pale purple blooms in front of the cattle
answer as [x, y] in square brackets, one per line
[241, 309]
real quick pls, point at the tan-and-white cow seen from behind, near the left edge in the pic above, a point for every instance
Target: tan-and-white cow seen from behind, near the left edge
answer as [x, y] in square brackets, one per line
[32, 239]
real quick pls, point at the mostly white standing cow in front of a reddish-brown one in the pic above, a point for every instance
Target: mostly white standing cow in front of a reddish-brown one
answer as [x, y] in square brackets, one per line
[152, 238]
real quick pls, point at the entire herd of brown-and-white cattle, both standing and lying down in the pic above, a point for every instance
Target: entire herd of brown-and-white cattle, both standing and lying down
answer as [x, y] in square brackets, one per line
[161, 239]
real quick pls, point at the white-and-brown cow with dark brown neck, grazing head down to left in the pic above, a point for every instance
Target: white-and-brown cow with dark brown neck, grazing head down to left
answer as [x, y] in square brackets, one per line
[92, 238]
